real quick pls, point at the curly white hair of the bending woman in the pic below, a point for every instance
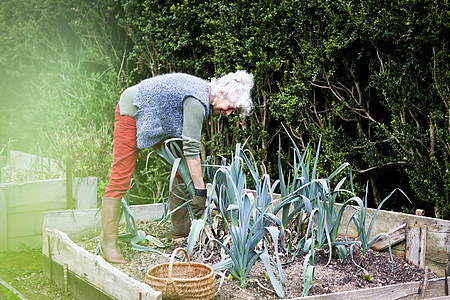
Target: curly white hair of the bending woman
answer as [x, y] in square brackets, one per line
[235, 87]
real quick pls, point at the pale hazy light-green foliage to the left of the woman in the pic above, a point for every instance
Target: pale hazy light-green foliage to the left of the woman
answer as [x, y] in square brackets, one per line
[60, 73]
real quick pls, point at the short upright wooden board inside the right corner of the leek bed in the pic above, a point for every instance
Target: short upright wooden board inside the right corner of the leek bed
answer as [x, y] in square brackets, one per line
[416, 236]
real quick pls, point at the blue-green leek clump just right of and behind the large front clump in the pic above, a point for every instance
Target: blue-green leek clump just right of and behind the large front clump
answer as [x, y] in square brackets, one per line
[308, 193]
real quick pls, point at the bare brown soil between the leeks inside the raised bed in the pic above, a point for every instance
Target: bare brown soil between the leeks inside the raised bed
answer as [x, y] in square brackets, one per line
[373, 271]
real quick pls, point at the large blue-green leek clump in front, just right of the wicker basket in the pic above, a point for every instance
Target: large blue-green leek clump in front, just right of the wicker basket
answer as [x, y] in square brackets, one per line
[248, 221]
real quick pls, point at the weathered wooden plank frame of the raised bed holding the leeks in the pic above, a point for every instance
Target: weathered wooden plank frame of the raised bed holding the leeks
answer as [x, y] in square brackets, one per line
[92, 272]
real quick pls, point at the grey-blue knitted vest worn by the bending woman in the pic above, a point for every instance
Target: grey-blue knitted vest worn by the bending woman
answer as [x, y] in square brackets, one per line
[160, 105]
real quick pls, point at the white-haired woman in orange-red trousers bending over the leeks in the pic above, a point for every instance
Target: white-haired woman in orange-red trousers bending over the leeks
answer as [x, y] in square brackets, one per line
[165, 106]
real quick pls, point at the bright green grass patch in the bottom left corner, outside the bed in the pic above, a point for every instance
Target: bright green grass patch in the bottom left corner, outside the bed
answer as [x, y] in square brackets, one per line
[22, 270]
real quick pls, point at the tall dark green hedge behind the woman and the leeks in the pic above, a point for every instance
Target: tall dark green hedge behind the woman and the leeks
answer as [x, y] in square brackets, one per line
[370, 77]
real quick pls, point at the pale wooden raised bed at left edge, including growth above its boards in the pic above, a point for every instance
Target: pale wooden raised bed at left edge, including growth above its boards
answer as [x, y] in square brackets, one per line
[25, 196]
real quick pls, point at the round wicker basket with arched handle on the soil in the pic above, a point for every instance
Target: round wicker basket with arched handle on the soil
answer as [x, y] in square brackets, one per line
[182, 280]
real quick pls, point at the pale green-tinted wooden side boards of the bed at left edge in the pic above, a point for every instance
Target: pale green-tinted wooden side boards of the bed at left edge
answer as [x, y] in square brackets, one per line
[22, 207]
